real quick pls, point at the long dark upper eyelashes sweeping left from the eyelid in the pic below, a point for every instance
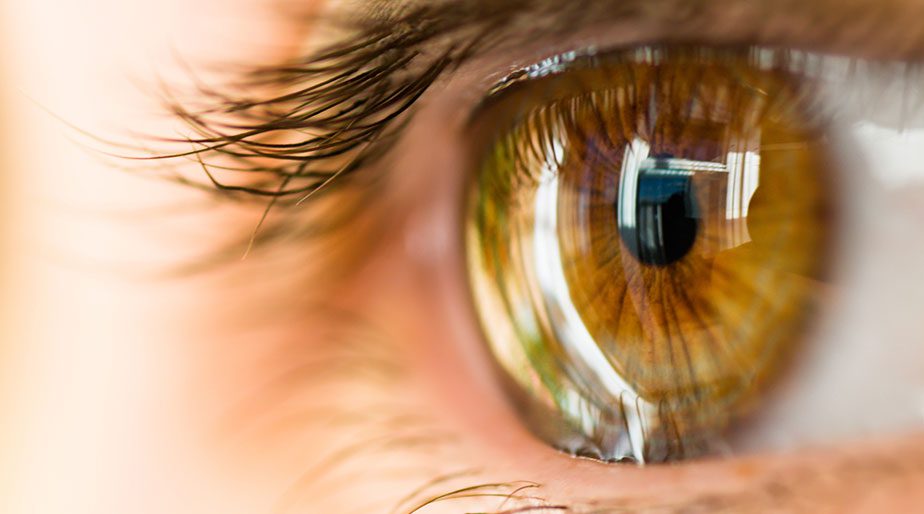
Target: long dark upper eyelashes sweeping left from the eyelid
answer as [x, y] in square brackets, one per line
[354, 95]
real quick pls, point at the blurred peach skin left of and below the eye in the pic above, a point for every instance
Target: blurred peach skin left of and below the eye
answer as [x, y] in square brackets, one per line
[128, 393]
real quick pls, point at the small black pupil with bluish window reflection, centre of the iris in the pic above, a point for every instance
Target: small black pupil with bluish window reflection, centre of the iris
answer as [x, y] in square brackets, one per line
[664, 226]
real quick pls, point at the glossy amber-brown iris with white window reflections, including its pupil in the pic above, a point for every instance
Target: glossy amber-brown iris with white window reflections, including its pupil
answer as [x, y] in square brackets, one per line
[647, 237]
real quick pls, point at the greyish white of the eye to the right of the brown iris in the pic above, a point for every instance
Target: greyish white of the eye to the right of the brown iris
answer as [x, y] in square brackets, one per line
[862, 370]
